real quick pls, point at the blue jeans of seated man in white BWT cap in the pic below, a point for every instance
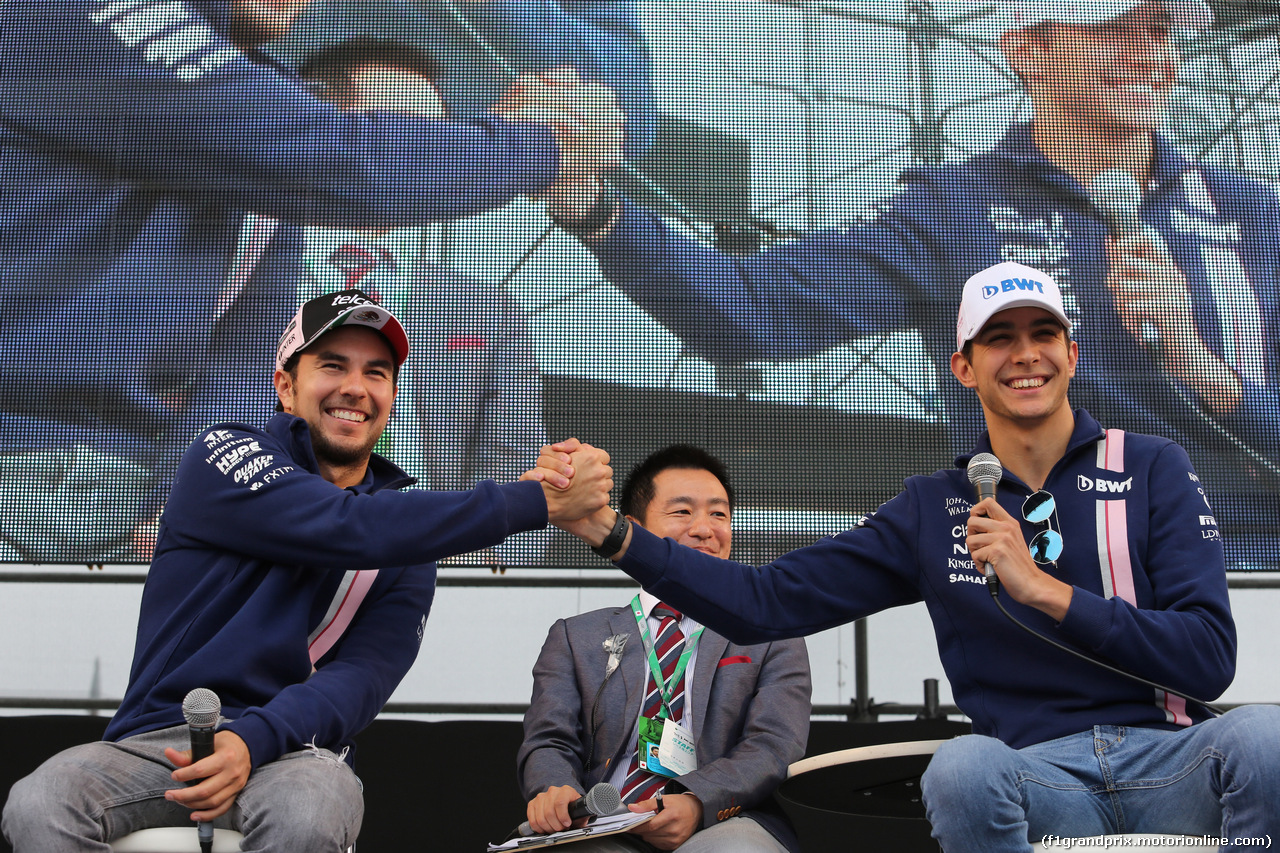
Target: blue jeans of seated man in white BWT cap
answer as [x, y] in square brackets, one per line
[1220, 778]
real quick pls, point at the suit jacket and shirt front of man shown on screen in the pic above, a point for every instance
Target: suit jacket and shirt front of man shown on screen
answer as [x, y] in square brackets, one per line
[472, 395]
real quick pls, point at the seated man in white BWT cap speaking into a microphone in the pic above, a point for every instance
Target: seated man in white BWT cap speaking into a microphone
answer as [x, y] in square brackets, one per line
[1098, 540]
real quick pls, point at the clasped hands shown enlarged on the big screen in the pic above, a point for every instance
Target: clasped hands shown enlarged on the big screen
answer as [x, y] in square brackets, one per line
[588, 125]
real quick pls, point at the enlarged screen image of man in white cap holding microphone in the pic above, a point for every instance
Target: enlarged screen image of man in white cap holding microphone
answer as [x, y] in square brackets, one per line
[1173, 294]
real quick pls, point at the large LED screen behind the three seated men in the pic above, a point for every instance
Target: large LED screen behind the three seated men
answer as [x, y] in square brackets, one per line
[821, 180]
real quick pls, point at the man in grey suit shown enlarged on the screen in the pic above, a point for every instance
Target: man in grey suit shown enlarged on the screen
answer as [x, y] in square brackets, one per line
[472, 407]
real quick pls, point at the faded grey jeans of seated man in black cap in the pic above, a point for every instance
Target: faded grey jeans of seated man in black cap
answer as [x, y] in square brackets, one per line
[95, 793]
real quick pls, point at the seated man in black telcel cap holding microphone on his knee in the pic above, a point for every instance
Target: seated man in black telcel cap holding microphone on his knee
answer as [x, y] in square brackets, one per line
[295, 582]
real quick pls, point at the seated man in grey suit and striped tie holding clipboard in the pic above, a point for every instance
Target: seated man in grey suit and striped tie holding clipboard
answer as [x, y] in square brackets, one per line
[746, 708]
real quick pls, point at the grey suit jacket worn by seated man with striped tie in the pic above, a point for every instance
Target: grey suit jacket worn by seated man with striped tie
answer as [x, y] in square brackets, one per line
[751, 708]
